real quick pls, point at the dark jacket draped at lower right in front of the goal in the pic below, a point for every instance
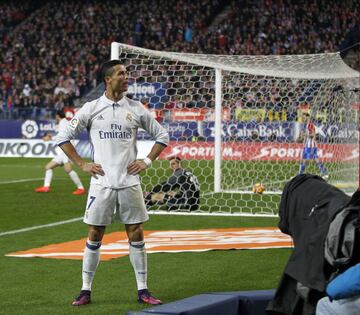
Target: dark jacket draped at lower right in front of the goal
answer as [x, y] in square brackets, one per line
[308, 204]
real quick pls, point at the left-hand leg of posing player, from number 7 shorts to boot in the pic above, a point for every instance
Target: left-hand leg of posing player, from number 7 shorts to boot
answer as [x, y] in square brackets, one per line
[98, 214]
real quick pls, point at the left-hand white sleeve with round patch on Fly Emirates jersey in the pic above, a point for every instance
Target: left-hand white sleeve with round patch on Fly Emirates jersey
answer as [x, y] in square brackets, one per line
[78, 123]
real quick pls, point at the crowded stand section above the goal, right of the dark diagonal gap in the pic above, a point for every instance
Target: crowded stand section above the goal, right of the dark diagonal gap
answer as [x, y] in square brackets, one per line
[285, 27]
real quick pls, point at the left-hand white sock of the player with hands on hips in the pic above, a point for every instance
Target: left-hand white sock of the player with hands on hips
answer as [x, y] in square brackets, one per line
[90, 262]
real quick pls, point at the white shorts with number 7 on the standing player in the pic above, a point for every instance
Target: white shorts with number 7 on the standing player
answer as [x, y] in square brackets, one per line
[105, 204]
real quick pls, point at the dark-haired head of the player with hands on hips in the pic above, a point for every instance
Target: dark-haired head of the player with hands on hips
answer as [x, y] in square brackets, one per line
[114, 75]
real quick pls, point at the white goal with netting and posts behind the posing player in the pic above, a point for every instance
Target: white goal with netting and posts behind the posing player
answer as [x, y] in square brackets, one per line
[237, 121]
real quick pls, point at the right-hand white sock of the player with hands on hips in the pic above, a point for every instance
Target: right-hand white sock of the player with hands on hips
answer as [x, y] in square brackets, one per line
[138, 260]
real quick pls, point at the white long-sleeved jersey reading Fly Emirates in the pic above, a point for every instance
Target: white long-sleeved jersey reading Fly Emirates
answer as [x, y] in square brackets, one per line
[113, 129]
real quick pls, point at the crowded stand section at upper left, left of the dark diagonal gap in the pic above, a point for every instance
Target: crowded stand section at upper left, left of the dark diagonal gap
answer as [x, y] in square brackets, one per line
[55, 52]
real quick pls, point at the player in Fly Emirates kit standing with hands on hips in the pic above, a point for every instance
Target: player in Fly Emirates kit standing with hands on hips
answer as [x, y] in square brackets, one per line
[112, 122]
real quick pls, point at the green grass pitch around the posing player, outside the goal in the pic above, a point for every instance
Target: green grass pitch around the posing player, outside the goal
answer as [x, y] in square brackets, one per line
[47, 286]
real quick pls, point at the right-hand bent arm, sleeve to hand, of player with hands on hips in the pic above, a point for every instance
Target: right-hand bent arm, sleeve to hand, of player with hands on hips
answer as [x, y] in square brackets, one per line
[161, 137]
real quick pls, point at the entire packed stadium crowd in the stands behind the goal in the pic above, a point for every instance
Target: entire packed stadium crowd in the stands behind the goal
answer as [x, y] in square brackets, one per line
[50, 51]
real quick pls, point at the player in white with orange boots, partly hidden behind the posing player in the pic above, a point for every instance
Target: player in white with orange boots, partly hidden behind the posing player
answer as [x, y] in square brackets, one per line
[60, 160]
